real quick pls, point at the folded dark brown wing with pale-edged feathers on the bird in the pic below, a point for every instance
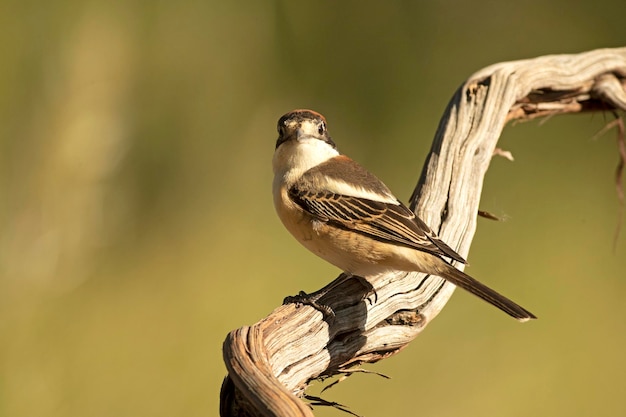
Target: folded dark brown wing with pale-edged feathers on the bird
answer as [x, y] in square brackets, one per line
[392, 223]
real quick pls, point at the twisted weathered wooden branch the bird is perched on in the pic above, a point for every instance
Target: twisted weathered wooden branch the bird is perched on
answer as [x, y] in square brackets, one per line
[271, 362]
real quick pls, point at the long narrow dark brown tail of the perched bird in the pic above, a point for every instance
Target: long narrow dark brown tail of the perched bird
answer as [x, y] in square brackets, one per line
[461, 279]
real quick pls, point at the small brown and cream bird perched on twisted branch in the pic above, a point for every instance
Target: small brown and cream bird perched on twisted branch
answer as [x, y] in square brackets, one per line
[344, 214]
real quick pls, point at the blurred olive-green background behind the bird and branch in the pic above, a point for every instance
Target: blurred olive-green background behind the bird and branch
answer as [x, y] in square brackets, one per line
[137, 226]
